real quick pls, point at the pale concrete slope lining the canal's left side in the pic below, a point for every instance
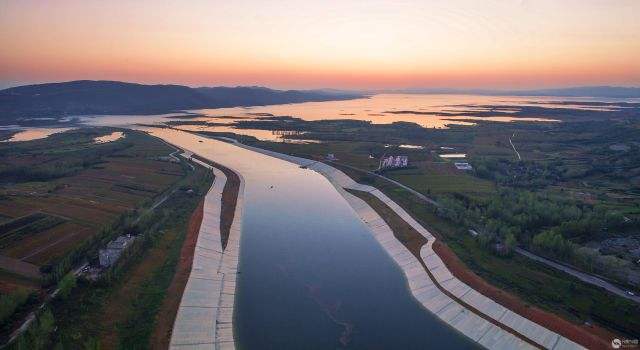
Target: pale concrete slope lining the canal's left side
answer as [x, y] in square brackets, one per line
[205, 316]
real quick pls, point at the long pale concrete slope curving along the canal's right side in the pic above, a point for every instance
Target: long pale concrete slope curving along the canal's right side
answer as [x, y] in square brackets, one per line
[472, 319]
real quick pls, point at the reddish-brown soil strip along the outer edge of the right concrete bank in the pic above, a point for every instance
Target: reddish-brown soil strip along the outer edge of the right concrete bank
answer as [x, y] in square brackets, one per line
[591, 337]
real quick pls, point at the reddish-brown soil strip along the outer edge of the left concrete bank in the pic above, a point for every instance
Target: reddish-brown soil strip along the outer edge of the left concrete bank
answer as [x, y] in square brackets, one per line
[166, 315]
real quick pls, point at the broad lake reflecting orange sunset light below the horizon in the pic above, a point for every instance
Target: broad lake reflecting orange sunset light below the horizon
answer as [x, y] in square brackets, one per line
[376, 109]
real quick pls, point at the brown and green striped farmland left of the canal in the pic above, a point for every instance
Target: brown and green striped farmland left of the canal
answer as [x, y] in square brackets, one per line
[59, 191]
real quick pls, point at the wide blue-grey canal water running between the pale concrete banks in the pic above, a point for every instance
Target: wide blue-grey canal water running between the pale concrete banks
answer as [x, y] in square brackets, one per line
[311, 275]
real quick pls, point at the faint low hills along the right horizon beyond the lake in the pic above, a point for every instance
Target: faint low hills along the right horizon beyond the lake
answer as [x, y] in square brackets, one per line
[583, 91]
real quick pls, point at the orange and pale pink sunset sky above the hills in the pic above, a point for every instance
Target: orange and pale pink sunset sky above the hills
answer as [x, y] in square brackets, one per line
[312, 44]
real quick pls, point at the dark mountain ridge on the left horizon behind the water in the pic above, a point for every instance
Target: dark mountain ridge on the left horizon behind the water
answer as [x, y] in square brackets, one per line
[112, 97]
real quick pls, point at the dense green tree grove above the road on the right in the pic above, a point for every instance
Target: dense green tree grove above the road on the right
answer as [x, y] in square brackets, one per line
[546, 224]
